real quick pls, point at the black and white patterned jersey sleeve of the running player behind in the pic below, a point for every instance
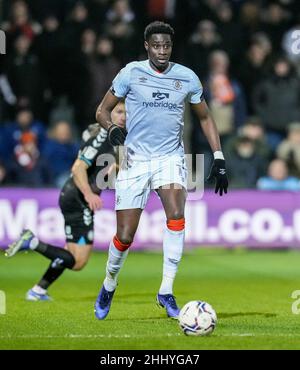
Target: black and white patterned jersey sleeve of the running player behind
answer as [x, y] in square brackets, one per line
[93, 147]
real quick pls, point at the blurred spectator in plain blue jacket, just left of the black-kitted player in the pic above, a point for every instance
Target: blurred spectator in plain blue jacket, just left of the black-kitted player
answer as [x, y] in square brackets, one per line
[59, 152]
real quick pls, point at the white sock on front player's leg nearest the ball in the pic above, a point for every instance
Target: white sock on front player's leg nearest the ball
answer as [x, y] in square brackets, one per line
[173, 247]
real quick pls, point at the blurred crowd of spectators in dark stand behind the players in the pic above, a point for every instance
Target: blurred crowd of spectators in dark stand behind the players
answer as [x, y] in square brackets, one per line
[63, 54]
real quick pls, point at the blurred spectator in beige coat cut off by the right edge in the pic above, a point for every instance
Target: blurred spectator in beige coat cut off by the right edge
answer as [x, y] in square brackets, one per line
[289, 149]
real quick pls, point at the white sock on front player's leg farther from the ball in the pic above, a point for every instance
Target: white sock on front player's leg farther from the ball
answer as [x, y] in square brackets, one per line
[115, 261]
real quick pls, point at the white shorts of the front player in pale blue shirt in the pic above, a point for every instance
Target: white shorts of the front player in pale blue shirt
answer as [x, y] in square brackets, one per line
[139, 177]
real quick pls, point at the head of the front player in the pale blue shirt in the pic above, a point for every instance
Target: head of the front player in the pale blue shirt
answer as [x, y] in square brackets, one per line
[158, 43]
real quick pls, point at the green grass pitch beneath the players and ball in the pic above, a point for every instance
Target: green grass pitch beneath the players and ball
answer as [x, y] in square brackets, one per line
[250, 291]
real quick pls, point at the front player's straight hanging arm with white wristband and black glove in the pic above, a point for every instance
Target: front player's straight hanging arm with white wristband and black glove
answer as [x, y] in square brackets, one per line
[218, 169]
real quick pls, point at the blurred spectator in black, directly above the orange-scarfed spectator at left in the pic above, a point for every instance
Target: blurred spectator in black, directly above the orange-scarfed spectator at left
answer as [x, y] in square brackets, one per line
[25, 76]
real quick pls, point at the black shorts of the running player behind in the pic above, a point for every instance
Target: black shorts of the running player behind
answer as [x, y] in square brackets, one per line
[79, 219]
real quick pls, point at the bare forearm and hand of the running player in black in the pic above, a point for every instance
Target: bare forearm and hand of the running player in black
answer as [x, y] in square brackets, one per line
[80, 177]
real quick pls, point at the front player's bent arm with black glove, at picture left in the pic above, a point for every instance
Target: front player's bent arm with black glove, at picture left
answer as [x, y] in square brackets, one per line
[116, 134]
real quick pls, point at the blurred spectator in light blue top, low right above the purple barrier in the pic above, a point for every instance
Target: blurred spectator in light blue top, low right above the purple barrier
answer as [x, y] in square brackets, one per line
[278, 178]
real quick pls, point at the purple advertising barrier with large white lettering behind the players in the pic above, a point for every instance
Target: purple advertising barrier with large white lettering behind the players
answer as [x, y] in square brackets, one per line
[240, 218]
